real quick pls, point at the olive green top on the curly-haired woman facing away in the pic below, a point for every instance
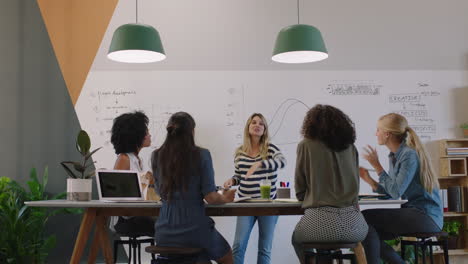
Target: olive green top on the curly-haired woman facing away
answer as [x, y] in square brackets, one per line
[325, 177]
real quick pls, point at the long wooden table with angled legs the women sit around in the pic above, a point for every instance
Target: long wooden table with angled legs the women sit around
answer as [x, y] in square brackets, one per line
[98, 212]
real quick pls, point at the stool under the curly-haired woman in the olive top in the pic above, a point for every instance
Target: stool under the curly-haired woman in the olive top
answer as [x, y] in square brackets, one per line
[327, 251]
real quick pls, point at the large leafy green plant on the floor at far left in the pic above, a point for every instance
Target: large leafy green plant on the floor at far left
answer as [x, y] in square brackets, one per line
[23, 237]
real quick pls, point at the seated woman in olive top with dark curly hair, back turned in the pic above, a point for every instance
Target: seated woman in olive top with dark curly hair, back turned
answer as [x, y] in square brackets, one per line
[327, 180]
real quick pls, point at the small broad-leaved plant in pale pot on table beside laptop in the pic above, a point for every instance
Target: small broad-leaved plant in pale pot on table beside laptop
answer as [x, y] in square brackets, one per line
[79, 185]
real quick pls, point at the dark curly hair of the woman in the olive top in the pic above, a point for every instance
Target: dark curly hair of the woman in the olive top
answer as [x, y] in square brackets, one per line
[329, 125]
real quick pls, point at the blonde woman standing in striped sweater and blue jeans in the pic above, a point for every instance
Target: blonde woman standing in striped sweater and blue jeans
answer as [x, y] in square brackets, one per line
[255, 160]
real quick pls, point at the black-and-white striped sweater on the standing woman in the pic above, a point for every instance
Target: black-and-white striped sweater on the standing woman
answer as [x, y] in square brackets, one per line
[269, 169]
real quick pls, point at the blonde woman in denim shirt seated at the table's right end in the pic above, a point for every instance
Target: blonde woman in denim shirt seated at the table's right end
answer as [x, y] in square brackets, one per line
[411, 177]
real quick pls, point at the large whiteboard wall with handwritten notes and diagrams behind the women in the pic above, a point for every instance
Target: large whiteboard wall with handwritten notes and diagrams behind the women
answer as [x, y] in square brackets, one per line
[221, 101]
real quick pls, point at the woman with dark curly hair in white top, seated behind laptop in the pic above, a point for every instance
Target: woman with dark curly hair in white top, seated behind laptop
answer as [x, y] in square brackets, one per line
[129, 135]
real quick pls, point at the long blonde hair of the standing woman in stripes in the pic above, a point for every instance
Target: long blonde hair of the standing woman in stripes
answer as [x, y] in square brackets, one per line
[264, 139]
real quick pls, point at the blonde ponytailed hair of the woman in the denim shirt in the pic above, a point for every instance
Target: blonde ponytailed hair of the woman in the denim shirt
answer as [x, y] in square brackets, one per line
[397, 125]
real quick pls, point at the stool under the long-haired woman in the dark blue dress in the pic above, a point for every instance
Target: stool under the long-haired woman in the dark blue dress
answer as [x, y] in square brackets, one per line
[174, 255]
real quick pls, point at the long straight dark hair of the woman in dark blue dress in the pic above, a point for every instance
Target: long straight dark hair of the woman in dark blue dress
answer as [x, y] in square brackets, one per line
[178, 157]
